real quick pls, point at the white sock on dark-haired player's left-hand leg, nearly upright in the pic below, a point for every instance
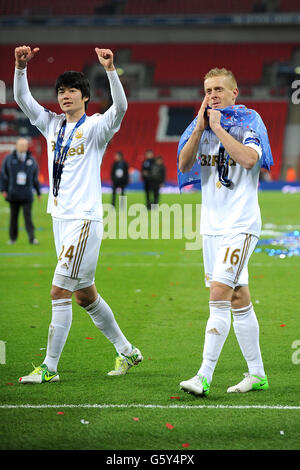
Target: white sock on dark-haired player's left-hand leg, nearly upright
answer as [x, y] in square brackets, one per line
[58, 331]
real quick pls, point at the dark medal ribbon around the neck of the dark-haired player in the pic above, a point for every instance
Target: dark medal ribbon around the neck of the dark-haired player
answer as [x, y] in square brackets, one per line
[60, 153]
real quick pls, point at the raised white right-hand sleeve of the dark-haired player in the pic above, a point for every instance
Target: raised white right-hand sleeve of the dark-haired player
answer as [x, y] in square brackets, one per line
[110, 121]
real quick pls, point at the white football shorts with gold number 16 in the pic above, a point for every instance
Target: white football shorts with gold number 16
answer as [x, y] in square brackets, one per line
[226, 258]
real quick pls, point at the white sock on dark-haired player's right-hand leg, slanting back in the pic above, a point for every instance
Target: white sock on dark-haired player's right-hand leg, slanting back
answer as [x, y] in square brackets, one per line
[104, 319]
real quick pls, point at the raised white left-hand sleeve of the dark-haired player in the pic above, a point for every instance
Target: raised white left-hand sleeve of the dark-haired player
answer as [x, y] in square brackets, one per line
[37, 114]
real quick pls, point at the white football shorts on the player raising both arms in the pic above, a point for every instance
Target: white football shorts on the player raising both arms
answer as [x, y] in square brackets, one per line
[77, 244]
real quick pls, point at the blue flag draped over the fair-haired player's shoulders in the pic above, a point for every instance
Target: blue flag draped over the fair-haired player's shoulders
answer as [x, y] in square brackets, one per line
[236, 115]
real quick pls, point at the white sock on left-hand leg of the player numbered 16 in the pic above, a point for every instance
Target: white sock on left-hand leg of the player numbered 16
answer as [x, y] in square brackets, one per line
[217, 329]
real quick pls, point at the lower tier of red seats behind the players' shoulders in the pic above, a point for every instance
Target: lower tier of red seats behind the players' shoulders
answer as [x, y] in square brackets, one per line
[139, 132]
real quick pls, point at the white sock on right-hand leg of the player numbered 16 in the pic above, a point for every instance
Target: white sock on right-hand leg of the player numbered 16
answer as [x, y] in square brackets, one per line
[246, 329]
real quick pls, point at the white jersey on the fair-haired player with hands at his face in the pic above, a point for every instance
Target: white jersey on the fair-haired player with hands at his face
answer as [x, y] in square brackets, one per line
[229, 210]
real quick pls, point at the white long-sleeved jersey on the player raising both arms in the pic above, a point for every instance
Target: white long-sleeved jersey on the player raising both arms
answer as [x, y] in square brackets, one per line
[79, 195]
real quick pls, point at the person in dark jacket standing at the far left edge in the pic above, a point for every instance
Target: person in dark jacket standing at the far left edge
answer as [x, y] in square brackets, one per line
[19, 175]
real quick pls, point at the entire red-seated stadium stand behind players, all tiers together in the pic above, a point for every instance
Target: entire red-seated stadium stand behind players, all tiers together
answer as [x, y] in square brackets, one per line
[154, 80]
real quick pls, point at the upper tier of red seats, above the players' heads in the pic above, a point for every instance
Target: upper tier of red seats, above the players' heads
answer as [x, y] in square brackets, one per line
[246, 60]
